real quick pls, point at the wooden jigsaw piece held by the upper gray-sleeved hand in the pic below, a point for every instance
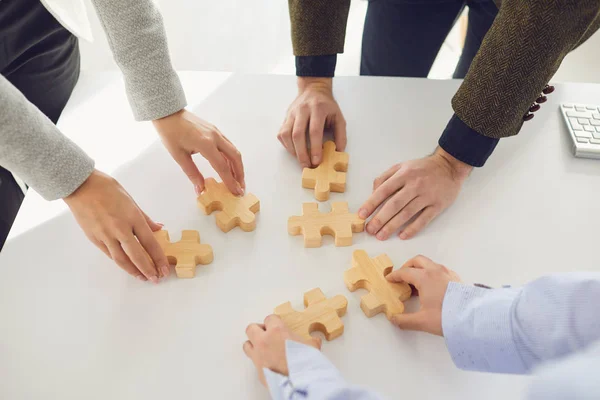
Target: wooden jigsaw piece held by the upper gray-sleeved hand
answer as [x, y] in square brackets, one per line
[233, 211]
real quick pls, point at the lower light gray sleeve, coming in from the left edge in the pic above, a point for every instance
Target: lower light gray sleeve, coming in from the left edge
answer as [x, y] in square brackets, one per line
[34, 149]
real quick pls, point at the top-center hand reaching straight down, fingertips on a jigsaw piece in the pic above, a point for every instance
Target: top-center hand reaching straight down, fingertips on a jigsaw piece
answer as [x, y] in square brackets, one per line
[313, 110]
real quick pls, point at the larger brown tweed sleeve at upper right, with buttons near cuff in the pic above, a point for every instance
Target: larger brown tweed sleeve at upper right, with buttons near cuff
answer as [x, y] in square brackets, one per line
[519, 55]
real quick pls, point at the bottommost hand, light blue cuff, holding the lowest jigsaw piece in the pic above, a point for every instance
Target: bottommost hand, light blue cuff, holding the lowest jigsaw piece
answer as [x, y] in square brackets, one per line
[266, 345]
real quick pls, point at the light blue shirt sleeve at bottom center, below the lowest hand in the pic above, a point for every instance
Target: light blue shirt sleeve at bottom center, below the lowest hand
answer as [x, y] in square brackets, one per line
[312, 377]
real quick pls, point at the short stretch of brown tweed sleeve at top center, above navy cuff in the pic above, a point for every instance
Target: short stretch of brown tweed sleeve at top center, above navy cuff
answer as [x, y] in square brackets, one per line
[318, 26]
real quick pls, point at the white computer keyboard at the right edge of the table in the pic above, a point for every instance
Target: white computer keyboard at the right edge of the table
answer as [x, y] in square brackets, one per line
[583, 122]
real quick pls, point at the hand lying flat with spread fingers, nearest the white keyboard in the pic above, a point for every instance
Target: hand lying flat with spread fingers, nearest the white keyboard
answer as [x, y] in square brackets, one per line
[426, 186]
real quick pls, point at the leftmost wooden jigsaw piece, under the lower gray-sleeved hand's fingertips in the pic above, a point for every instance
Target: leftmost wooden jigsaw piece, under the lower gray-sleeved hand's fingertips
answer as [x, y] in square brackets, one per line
[185, 254]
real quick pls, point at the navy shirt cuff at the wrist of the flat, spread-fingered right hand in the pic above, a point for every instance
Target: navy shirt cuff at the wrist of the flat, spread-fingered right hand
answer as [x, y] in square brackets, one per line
[465, 144]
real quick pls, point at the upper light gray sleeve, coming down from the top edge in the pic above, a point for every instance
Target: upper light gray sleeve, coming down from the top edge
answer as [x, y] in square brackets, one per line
[137, 38]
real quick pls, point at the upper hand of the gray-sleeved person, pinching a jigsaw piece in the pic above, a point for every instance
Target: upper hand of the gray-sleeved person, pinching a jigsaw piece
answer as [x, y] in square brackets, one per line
[184, 134]
